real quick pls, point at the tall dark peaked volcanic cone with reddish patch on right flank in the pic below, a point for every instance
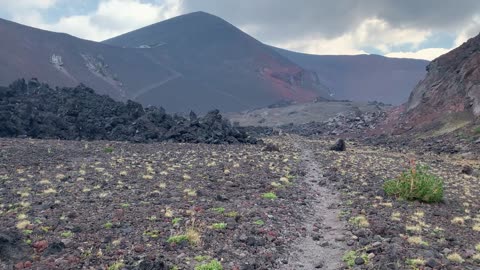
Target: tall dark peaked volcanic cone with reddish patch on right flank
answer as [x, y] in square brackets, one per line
[218, 65]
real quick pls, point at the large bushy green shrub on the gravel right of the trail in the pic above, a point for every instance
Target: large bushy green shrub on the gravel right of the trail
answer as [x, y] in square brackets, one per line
[416, 184]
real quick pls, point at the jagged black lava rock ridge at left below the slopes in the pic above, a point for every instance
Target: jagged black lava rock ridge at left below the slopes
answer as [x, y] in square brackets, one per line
[32, 109]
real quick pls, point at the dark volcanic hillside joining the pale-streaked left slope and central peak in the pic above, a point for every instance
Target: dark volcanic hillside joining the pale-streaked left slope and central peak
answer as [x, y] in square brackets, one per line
[192, 62]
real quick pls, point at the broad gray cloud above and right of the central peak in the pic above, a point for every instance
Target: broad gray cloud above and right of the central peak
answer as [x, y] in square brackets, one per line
[280, 20]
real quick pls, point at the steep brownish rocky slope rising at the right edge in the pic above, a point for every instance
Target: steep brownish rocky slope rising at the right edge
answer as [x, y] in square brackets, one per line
[451, 86]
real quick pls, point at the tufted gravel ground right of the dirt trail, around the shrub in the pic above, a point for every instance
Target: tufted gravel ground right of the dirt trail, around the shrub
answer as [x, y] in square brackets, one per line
[389, 233]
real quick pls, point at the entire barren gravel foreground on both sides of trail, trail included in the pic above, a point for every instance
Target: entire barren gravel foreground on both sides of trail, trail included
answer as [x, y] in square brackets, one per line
[104, 205]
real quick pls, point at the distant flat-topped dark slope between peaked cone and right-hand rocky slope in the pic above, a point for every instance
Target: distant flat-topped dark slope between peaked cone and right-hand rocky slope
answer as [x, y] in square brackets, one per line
[363, 77]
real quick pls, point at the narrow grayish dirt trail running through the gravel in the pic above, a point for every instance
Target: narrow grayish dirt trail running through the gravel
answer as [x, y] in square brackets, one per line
[324, 242]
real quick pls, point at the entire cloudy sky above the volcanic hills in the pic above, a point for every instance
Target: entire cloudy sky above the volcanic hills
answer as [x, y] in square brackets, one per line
[421, 29]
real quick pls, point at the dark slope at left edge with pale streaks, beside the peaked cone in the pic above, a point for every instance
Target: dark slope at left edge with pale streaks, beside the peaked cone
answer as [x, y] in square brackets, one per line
[63, 60]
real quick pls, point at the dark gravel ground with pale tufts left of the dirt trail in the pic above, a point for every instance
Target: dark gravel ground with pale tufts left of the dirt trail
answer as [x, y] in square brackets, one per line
[101, 205]
